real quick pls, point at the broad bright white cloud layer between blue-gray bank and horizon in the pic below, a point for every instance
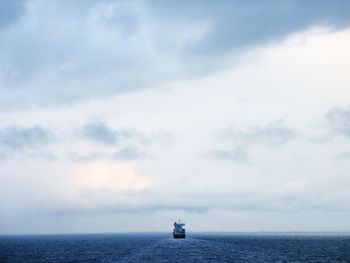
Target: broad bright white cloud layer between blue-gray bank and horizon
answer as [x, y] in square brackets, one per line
[291, 80]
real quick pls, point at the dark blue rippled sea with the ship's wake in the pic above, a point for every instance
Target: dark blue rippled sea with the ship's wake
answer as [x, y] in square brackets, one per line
[163, 248]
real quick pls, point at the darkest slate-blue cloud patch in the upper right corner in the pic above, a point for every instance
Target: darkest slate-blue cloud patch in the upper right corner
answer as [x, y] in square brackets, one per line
[236, 24]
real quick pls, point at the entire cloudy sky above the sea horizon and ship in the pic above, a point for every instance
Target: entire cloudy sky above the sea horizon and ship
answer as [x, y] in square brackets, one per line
[124, 116]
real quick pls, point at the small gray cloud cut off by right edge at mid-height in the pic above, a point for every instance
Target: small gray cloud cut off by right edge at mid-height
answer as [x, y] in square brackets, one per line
[339, 120]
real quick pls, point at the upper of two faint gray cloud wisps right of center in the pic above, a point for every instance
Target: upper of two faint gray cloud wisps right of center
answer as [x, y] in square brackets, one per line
[273, 134]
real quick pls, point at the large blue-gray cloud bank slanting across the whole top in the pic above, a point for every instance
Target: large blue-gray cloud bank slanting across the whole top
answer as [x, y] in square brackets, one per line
[122, 46]
